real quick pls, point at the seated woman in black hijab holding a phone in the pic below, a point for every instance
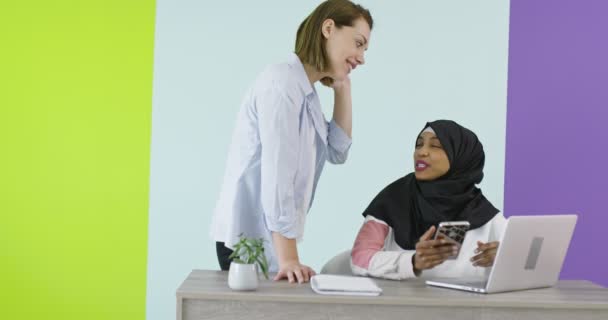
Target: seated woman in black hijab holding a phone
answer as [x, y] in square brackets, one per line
[396, 239]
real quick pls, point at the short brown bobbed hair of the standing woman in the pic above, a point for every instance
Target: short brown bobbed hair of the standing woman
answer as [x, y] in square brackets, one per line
[310, 44]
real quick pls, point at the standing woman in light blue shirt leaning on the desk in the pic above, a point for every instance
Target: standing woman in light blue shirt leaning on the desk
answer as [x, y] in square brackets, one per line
[282, 140]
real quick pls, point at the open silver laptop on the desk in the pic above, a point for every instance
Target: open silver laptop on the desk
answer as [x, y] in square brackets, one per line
[530, 255]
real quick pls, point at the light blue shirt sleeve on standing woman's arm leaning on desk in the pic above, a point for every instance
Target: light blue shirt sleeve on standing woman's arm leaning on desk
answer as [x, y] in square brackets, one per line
[278, 119]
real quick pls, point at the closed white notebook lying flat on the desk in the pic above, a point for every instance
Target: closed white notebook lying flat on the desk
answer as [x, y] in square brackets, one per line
[344, 285]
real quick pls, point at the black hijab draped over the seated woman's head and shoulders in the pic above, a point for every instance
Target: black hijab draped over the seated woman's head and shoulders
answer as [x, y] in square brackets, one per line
[410, 206]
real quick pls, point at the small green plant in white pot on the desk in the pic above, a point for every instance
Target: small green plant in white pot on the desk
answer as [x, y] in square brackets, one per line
[248, 255]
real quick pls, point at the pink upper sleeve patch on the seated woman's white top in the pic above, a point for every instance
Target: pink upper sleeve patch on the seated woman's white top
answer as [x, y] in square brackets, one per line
[370, 240]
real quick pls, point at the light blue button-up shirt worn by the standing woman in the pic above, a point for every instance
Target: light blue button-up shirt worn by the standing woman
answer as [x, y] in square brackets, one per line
[278, 150]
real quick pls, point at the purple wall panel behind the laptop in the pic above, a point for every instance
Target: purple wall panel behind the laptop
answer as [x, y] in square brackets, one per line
[557, 123]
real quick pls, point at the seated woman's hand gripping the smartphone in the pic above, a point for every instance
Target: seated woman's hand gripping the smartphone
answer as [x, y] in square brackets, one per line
[431, 253]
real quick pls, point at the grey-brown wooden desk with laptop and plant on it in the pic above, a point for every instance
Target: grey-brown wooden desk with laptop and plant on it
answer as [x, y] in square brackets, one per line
[205, 295]
